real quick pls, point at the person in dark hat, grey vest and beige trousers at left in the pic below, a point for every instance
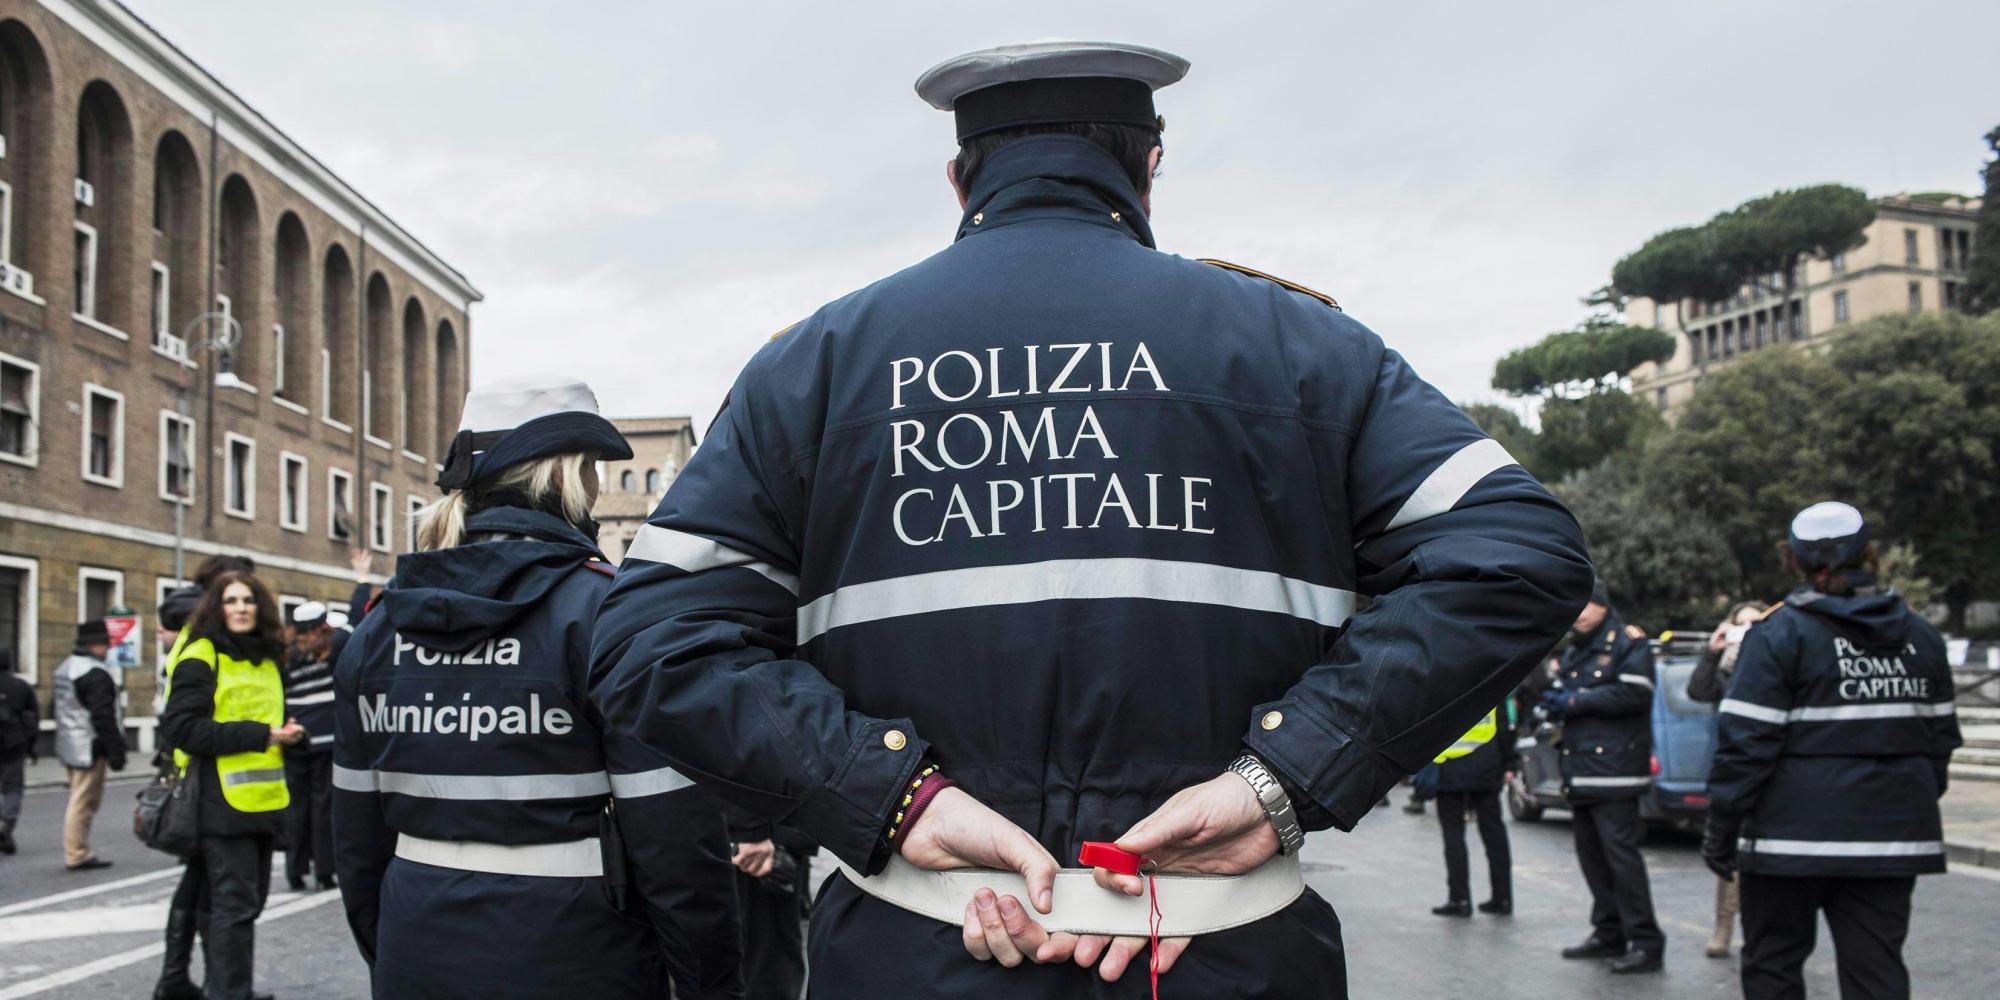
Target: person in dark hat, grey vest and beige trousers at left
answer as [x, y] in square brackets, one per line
[89, 737]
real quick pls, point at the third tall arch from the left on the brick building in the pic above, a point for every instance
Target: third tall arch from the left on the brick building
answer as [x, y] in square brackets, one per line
[177, 283]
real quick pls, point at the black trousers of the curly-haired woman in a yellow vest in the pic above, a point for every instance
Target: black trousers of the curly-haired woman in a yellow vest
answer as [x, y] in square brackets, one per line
[223, 891]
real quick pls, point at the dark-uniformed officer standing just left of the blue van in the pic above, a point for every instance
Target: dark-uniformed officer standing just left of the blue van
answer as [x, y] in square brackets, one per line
[1603, 699]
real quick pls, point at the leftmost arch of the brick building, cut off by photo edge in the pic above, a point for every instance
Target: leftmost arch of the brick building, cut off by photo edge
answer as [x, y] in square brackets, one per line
[25, 97]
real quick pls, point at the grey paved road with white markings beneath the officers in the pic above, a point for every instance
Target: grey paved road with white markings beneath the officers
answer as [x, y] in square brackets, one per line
[97, 935]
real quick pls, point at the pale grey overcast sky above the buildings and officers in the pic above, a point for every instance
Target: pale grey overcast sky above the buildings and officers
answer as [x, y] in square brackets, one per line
[645, 193]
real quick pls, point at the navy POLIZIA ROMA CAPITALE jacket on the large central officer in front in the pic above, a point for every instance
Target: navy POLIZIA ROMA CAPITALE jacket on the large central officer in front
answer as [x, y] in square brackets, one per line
[1081, 521]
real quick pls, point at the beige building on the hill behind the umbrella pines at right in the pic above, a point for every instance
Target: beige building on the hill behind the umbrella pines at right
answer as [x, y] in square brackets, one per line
[1913, 261]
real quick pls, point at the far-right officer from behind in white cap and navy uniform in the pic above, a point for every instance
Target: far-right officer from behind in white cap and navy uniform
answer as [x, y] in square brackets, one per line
[1833, 749]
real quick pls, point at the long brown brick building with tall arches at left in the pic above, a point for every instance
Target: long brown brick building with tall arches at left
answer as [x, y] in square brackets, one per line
[137, 197]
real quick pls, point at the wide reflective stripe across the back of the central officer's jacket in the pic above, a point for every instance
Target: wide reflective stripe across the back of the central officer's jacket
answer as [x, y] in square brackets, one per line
[1101, 579]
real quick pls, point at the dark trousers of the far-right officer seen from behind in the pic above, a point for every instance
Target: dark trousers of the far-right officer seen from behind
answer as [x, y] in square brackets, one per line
[1869, 919]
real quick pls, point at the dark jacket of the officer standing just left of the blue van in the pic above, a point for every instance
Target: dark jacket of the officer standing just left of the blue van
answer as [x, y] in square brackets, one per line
[1607, 739]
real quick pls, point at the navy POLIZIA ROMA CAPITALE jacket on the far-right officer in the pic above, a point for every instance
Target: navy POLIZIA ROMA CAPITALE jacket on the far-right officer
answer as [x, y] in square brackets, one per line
[1837, 739]
